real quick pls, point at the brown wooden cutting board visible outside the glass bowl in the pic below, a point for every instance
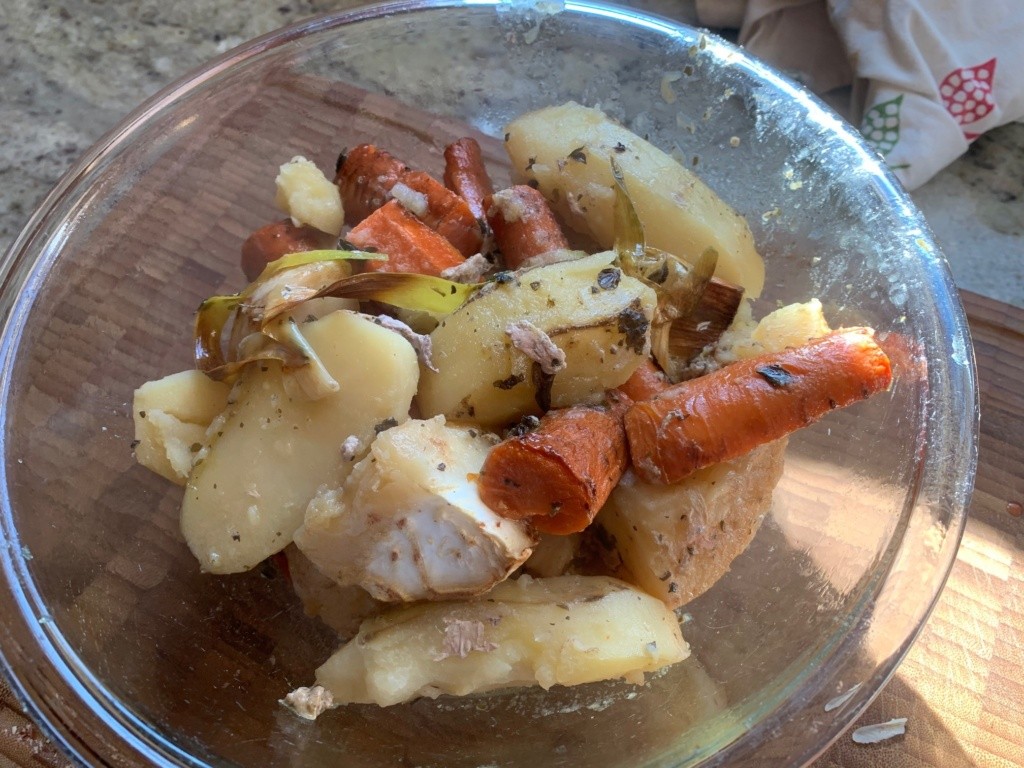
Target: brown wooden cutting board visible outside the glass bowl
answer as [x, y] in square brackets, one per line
[962, 687]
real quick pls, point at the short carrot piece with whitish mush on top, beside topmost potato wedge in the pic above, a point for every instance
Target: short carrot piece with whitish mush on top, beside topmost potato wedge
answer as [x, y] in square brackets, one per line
[524, 225]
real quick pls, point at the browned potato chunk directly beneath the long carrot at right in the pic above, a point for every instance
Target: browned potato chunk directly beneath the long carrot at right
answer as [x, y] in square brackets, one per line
[677, 541]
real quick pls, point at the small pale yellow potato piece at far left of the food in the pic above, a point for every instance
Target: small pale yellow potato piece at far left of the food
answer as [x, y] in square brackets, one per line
[172, 416]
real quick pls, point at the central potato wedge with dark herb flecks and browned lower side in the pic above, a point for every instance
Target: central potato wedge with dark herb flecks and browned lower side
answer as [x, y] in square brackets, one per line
[604, 332]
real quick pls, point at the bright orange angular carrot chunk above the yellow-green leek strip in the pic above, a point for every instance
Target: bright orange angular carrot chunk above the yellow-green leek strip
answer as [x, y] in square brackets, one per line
[411, 246]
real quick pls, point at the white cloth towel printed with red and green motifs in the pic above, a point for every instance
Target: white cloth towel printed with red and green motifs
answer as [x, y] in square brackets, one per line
[928, 76]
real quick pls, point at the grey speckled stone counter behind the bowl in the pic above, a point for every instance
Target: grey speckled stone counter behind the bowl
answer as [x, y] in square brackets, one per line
[70, 71]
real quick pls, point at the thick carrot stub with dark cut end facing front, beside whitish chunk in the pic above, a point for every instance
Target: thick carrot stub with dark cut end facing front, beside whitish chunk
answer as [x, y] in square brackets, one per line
[560, 476]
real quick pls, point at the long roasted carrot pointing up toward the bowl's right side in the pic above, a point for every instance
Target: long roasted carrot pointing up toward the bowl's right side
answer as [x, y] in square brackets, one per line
[732, 411]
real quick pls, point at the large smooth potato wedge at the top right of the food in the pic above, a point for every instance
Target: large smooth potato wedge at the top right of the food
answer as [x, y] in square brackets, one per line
[568, 150]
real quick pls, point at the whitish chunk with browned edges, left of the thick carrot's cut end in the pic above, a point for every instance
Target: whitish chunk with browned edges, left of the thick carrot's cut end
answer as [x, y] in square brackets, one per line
[409, 525]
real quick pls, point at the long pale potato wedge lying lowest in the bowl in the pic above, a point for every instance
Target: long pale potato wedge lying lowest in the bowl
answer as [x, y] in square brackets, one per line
[564, 631]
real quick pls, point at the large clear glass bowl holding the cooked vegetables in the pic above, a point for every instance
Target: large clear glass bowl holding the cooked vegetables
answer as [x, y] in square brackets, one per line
[129, 656]
